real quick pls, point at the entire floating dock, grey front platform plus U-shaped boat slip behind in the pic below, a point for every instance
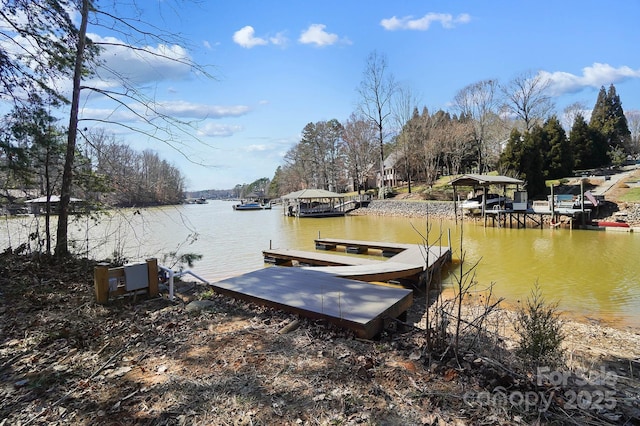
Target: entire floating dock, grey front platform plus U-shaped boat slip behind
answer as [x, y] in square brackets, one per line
[338, 289]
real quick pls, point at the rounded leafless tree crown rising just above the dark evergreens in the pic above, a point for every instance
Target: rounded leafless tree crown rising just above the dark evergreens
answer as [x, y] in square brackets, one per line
[526, 97]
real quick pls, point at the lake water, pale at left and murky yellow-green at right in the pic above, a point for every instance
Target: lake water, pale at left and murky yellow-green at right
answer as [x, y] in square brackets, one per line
[591, 274]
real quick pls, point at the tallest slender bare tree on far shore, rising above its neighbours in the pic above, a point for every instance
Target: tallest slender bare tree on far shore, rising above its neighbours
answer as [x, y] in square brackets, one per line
[376, 91]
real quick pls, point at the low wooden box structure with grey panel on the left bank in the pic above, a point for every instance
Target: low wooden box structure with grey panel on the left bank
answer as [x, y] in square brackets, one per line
[121, 280]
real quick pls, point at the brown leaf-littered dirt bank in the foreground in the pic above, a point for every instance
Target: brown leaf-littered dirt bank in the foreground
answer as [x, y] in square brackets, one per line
[66, 360]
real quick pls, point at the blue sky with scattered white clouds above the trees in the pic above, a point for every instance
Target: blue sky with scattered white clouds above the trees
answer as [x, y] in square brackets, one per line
[278, 65]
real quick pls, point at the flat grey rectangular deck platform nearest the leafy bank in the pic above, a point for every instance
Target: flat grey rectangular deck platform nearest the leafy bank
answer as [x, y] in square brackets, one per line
[356, 305]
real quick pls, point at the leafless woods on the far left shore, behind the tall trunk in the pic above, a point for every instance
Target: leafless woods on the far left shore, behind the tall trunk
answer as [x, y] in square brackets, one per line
[106, 172]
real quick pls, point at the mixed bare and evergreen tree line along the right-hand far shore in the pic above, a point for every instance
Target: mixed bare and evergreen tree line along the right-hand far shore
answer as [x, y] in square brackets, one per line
[511, 128]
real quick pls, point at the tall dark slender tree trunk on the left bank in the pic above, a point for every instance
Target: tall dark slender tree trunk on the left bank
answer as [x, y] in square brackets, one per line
[62, 246]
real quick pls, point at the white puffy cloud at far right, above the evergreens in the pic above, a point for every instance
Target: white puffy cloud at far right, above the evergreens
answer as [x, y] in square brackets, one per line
[595, 76]
